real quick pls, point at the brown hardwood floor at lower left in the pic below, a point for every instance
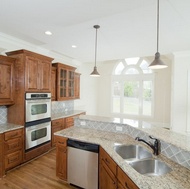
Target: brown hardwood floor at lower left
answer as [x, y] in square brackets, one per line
[37, 174]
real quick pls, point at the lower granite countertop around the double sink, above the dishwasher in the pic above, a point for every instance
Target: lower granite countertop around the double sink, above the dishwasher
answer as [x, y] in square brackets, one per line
[179, 178]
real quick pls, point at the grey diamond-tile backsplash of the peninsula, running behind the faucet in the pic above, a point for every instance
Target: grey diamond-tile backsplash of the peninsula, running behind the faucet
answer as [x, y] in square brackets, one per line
[172, 152]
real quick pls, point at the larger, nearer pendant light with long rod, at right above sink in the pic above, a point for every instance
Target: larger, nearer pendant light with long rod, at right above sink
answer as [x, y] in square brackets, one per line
[157, 63]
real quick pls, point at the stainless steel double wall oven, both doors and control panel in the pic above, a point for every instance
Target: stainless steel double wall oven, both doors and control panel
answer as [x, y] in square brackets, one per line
[38, 119]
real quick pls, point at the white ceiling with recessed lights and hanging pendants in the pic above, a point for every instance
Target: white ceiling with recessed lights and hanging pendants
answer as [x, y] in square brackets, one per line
[127, 27]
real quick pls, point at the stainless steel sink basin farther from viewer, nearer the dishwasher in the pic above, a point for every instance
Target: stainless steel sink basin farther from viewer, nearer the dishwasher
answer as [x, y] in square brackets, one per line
[132, 152]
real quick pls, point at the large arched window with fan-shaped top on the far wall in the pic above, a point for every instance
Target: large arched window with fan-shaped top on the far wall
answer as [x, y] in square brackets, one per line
[132, 88]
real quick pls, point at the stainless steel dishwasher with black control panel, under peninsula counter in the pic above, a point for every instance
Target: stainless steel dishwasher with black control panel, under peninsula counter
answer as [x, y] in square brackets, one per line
[82, 164]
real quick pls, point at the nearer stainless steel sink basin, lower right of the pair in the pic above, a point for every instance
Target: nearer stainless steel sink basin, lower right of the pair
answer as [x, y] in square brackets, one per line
[151, 167]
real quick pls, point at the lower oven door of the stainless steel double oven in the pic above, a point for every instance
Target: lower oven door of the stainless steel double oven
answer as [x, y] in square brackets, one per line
[37, 134]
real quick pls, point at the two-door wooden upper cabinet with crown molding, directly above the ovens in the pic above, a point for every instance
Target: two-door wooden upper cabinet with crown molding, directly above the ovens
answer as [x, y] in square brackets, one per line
[33, 70]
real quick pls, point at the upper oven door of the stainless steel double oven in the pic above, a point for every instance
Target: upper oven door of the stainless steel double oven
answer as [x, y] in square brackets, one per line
[38, 109]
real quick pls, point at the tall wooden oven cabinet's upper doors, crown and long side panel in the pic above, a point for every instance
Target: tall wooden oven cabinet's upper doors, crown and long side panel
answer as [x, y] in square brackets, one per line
[32, 73]
